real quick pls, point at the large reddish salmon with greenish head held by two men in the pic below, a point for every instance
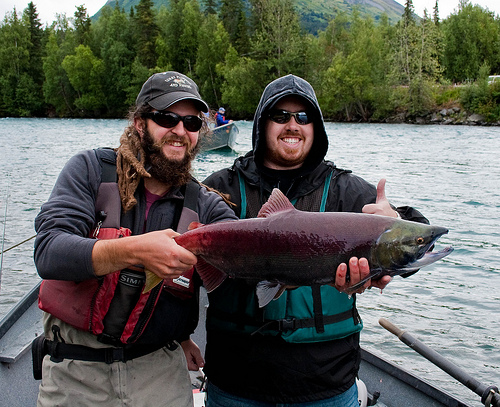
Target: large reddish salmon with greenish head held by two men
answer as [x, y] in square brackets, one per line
[287, 247]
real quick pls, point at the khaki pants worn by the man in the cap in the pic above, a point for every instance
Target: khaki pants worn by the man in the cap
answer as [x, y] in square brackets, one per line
[158, 379]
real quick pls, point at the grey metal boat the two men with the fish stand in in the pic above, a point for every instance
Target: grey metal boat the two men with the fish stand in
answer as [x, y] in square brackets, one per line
[386, 384]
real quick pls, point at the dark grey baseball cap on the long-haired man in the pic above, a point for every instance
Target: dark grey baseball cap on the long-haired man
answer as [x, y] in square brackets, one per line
[164, 89]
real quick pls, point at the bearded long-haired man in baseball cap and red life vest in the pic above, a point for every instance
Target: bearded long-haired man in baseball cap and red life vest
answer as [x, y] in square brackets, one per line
[108, 342]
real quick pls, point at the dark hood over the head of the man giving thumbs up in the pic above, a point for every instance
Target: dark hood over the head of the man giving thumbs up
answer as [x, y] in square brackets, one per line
[287, 86]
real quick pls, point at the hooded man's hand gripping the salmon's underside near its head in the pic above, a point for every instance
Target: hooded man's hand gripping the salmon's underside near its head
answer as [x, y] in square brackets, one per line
[358, 270]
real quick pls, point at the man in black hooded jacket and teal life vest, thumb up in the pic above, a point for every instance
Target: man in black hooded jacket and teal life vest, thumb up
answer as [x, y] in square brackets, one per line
[302, 348]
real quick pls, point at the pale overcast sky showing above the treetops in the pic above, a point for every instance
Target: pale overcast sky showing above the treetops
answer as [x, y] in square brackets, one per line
[47, 9]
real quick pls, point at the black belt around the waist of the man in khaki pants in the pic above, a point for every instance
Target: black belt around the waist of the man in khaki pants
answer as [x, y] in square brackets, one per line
[59, 351]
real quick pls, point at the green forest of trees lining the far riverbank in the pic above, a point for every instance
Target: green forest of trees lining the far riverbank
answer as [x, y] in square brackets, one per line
[362, 70]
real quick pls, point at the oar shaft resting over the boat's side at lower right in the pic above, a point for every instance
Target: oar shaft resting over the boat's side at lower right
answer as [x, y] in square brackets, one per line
[489, 394]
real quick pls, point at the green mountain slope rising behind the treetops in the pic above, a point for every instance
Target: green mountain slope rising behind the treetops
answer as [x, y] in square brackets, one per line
[314, 14]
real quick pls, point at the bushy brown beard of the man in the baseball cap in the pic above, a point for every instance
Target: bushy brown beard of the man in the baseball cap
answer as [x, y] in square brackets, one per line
[174, 173]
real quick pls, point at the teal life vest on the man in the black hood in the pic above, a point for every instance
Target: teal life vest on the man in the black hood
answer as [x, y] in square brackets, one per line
[305, 314]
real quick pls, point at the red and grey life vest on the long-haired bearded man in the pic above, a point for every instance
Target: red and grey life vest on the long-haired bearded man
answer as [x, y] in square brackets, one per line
[113, 307]
